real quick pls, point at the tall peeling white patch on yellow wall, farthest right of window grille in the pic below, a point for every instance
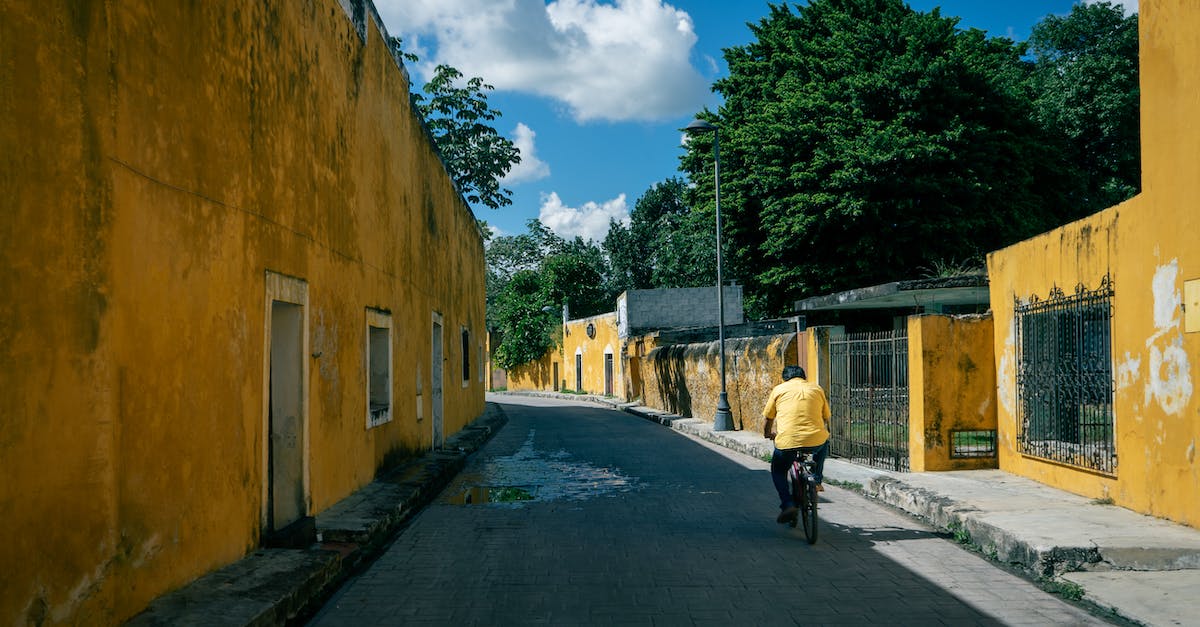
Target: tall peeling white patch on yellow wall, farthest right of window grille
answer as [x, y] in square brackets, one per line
[1169, 381]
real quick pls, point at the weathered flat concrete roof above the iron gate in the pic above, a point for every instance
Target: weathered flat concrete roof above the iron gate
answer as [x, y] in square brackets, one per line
[970, 290]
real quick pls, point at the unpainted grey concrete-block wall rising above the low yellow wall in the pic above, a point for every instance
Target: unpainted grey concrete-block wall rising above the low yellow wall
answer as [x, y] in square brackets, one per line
[646, 310]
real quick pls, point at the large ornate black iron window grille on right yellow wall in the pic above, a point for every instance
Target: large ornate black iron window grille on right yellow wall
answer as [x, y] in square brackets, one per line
[1065, 378]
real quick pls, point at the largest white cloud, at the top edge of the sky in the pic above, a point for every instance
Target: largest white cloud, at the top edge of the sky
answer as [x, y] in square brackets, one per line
[623, 61]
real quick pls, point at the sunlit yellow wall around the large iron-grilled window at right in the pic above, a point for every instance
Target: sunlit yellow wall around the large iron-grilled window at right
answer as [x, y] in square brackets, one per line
[1149, 248]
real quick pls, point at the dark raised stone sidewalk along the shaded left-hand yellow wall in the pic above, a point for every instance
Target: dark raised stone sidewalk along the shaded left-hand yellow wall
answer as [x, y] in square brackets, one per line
[283, 587]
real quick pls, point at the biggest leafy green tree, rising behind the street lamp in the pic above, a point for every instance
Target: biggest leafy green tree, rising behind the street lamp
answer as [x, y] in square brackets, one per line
[862, 140]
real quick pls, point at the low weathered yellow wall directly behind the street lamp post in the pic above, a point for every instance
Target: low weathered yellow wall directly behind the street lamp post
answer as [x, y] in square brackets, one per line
[687, 380]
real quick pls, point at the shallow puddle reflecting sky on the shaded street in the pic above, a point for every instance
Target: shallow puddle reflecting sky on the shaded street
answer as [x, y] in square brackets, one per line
[531, 475]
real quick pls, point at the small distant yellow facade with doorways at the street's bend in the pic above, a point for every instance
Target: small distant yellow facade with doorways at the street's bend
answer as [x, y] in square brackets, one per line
[592, 350]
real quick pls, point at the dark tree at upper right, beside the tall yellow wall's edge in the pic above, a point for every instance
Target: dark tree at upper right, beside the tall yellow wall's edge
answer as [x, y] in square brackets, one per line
[1085, 87]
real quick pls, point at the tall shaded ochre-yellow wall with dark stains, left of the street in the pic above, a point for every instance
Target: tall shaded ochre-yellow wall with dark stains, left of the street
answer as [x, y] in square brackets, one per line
[158, 160]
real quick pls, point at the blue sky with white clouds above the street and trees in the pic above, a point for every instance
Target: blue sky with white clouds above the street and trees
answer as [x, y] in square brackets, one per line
[595, 93]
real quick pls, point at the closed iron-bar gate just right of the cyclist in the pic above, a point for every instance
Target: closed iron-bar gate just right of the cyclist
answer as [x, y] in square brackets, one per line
[869, 398]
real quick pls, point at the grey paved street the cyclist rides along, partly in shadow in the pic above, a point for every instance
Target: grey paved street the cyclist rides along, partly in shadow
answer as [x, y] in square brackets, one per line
[610, 519]
